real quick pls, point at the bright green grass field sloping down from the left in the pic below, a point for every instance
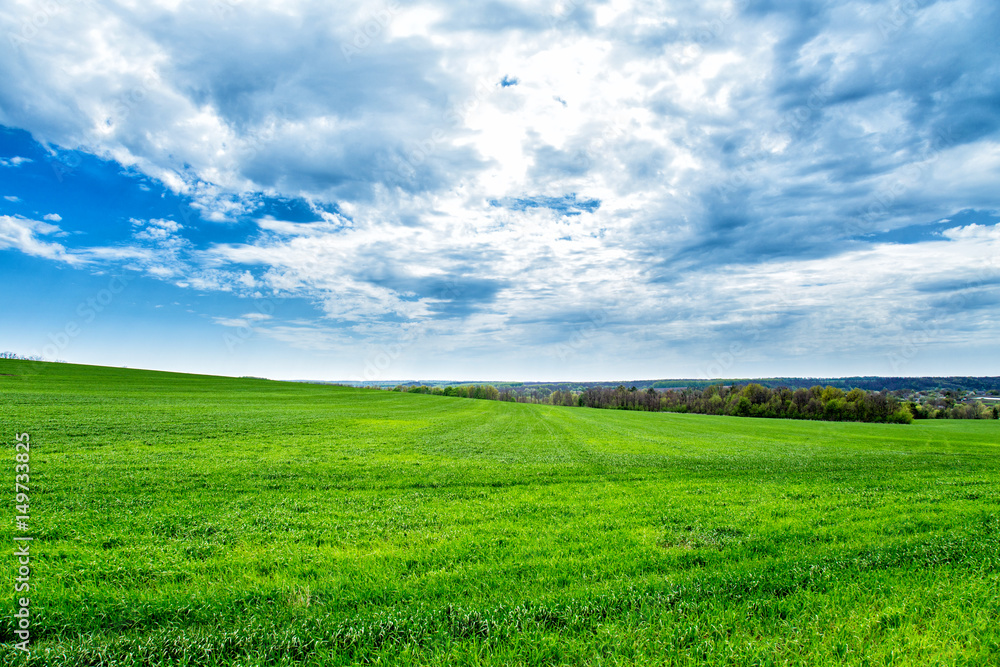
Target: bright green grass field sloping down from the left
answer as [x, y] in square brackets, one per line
[184, 520]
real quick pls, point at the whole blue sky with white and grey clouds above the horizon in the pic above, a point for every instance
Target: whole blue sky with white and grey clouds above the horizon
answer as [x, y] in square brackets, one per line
[502, 190]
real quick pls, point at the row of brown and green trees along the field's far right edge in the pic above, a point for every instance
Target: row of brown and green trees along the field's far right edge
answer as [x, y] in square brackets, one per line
[752, 400]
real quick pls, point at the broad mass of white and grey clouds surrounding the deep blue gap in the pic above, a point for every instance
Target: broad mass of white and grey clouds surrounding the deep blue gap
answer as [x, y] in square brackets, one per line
[697, 167]
